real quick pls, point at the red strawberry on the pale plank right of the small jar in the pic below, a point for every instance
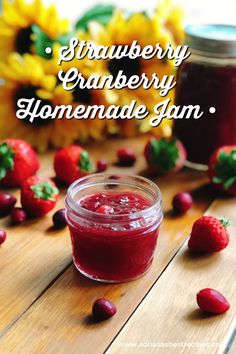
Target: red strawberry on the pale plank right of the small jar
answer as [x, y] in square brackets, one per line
[209, 235]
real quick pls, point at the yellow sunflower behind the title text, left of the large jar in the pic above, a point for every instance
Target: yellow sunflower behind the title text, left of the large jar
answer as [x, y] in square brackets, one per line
[123, 31]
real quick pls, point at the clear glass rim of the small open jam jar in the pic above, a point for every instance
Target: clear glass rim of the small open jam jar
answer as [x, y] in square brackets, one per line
[111, 178]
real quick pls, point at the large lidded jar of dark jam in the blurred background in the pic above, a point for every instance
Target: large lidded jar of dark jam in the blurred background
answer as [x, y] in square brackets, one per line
[208, 78]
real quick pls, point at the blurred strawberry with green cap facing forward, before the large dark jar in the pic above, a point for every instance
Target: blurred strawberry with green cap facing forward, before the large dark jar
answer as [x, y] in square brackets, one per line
[165, 155]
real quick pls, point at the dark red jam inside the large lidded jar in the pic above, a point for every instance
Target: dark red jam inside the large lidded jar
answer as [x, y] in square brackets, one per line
[207, 86]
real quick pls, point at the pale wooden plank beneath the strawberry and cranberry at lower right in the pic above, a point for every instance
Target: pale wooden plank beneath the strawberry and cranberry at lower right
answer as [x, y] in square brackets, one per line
[169, 313]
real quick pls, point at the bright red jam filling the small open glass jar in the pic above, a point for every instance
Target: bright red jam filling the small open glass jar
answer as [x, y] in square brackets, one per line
[114, 234]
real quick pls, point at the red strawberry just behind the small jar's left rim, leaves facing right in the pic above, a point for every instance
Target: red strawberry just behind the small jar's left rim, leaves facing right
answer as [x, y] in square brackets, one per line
[72, 163]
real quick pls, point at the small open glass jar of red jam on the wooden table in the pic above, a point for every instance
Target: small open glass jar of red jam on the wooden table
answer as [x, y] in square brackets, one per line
[114, 223]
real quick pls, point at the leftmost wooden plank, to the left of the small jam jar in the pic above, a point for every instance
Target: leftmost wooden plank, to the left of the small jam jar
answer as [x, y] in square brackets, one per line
[31, 258]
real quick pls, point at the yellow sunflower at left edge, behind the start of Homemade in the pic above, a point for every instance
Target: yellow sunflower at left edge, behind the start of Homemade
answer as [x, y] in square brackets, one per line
[24, 77]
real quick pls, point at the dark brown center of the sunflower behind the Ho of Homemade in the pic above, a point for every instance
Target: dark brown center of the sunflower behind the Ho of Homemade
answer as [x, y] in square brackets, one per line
[29, 92]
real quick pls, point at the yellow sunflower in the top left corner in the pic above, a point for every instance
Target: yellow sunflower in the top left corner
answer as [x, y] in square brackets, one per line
[17, 19]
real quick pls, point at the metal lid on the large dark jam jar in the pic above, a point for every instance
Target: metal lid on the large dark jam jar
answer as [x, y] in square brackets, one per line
[212, 39]
